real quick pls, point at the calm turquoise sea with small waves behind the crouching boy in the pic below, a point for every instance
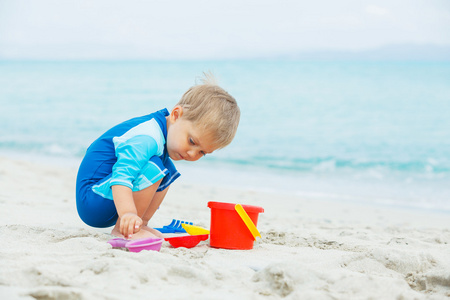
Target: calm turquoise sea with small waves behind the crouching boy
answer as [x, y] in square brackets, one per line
[358, 131]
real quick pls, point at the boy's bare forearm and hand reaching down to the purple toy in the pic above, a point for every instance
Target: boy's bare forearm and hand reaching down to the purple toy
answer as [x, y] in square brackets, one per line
[129, 220]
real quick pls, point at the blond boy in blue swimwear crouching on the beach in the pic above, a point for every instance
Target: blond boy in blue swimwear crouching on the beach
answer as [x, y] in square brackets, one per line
[126, 172]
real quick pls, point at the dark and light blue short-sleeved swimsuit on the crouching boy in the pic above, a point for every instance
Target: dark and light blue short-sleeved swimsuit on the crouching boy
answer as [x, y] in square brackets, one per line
[132, 154]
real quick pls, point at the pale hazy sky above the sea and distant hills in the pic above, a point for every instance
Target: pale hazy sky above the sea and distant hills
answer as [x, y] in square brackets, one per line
[219, 29]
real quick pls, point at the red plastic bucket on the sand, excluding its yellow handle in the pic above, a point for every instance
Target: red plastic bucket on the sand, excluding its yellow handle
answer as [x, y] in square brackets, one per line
[228, 230]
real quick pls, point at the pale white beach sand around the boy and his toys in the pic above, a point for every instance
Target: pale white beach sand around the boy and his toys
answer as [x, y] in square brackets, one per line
[310, 249]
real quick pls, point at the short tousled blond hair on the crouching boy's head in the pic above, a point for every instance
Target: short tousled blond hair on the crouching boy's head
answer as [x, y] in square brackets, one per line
[211, 108]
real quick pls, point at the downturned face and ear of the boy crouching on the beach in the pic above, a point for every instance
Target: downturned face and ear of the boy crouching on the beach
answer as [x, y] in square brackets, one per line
[184, 140]
